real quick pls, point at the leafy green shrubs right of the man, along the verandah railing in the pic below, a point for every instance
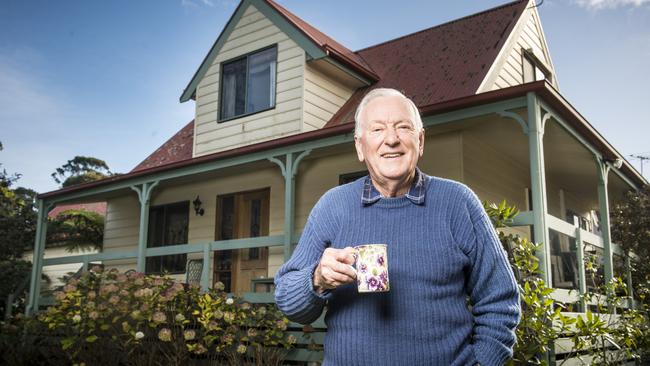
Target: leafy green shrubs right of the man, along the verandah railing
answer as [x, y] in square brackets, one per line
[597, 334]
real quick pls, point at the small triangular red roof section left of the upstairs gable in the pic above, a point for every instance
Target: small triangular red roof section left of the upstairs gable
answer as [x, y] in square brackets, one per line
[177, 148]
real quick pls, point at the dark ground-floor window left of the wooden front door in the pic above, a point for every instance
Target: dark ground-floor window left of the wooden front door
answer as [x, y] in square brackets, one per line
[168, 226]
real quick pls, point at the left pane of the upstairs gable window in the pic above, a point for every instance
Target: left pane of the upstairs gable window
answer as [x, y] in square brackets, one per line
[233, 89]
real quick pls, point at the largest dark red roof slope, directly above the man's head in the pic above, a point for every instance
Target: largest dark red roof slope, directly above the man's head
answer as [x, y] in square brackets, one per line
[442, 63]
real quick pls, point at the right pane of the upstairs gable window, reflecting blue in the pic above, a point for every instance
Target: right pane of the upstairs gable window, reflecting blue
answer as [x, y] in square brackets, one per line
[261, 80]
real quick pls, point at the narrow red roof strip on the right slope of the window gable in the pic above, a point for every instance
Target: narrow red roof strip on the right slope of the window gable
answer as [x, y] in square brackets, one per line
[328, 44]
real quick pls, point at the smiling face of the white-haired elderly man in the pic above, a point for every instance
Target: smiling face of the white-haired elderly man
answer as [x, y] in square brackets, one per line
[389, 144]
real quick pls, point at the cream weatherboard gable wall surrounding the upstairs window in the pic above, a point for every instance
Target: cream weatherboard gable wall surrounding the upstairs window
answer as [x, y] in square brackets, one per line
[253, 32]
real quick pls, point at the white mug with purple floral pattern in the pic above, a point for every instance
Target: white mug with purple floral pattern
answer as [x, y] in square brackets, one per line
[371, 264]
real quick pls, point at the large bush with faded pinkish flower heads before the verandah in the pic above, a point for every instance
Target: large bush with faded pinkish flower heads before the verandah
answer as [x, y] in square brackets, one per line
[108, 317]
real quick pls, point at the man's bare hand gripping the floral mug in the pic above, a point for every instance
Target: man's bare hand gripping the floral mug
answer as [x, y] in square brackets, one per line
[335, 269]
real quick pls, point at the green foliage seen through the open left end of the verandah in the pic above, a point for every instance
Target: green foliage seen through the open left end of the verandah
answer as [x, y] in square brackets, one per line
[76, 229]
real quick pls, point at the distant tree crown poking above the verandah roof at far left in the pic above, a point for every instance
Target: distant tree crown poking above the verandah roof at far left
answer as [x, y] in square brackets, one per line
[81, 169]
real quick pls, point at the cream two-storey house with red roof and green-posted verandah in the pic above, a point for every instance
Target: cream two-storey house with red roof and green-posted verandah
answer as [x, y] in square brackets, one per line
[273, 130]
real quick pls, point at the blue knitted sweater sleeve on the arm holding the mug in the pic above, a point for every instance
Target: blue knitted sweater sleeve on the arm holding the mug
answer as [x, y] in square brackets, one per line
[294, 292]
